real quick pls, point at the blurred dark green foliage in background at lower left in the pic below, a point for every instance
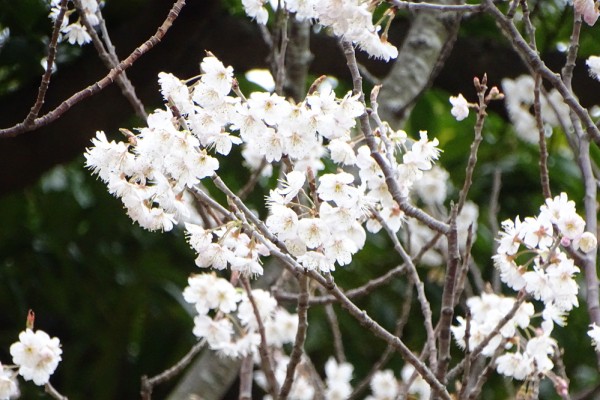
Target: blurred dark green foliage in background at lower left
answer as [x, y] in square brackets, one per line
[109, 290]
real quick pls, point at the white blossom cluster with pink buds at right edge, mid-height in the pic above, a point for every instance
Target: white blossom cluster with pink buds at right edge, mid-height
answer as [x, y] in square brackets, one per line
[551, 276]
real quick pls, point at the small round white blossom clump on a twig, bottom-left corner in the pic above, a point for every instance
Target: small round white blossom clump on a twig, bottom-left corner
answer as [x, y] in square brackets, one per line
[37, 355]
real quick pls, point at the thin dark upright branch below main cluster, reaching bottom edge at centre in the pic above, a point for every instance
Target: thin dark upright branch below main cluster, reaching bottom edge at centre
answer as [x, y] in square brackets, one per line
[297, 350]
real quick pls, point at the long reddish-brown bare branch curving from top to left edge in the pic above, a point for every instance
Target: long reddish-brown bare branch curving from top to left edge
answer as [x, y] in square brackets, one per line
[27, 126]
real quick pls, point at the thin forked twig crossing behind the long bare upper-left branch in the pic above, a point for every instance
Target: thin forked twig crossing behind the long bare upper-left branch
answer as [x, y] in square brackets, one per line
[109, 58]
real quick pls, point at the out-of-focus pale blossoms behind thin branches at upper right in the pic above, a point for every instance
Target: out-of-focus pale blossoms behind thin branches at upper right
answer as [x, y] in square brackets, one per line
[519, 99]
